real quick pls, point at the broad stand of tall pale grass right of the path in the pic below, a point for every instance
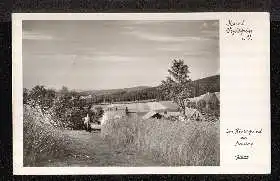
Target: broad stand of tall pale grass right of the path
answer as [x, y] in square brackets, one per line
[173, 143]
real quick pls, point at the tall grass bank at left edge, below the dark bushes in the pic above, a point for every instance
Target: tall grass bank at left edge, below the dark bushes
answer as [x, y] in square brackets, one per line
[41, 140]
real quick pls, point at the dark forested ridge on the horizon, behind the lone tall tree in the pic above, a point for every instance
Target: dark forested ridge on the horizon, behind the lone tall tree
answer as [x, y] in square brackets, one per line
[208, 84]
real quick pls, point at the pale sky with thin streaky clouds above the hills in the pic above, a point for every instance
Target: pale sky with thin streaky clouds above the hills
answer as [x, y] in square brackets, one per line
[105, 54]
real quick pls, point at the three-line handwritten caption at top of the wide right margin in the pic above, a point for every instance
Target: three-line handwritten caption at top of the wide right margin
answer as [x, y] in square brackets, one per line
[239, 29]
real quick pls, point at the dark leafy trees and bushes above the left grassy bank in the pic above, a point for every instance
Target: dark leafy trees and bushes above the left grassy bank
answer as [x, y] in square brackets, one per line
[65, 107]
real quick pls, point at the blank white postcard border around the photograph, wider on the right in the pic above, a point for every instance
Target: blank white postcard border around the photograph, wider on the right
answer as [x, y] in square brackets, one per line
[235, 66]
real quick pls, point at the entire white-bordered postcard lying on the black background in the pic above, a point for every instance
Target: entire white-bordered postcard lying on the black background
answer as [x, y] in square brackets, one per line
[141, 93]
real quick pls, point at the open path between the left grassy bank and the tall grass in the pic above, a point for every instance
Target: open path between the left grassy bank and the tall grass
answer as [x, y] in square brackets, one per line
[89, 150]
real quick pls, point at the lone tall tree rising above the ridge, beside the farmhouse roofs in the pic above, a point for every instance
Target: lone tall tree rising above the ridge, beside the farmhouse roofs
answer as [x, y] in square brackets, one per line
[178, 86]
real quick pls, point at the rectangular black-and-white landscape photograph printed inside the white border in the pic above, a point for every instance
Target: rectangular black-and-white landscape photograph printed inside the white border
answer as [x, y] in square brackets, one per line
[130, 93]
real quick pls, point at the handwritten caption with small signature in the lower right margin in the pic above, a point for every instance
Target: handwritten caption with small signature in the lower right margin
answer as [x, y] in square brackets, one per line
[245, 139]
